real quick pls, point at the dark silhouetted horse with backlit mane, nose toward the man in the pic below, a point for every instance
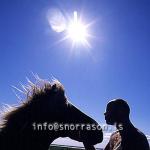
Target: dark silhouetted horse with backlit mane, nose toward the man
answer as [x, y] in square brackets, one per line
[44, 104]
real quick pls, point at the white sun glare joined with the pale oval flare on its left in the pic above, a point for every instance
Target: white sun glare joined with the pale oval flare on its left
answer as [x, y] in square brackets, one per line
[75, 29]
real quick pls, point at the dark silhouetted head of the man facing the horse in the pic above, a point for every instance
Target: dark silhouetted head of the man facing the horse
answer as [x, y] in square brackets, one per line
[117, 111]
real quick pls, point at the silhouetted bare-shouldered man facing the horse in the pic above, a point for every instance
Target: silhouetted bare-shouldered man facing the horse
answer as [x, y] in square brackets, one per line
[127, 137]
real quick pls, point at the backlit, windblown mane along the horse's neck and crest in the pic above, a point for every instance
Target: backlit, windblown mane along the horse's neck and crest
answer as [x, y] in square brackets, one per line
[34, 93]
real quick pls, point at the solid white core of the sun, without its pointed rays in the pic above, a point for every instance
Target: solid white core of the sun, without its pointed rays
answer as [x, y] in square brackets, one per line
[77, 31]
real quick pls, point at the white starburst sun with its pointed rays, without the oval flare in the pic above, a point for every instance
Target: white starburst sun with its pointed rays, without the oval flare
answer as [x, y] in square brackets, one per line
[77, 31]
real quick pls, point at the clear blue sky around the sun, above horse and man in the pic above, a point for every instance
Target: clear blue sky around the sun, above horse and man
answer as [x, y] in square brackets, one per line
[116, 65]
